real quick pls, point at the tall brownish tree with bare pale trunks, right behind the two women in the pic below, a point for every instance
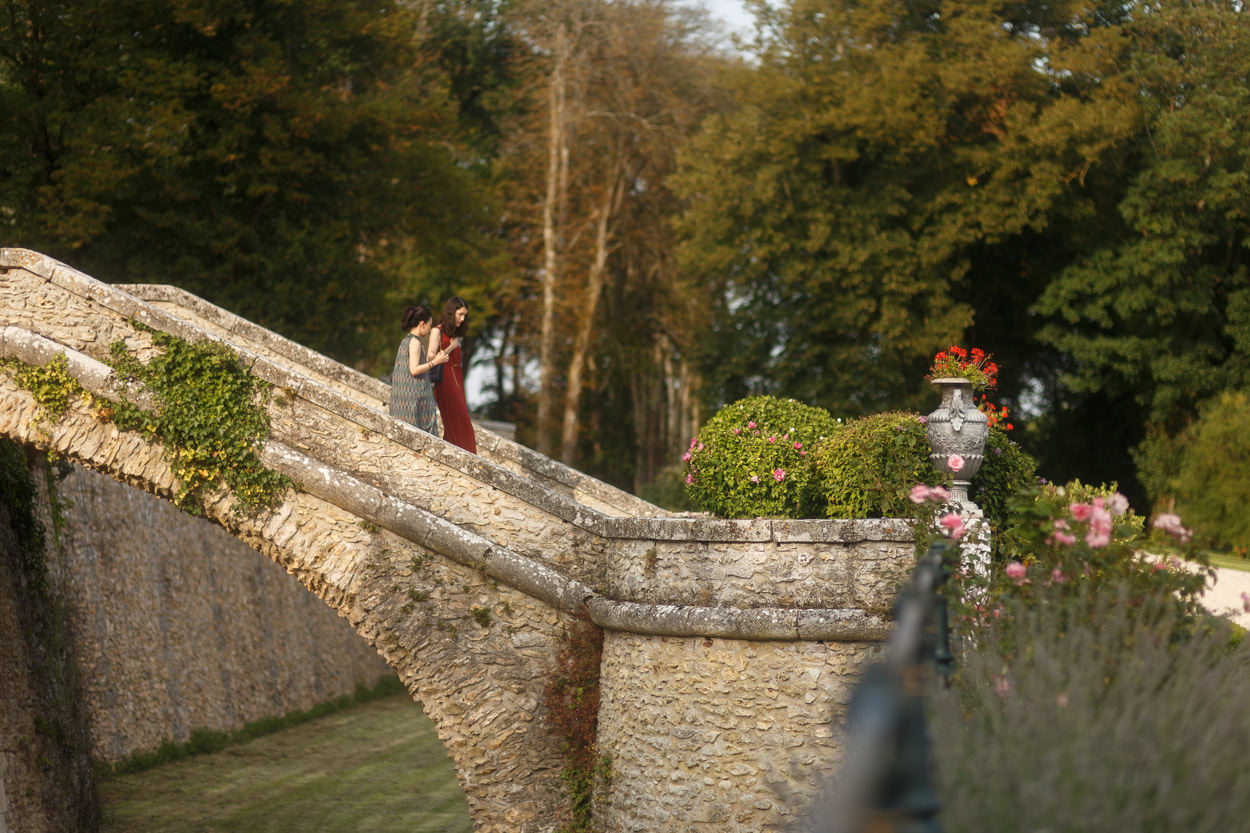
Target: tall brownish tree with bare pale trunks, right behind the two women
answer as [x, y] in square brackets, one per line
[618, 87]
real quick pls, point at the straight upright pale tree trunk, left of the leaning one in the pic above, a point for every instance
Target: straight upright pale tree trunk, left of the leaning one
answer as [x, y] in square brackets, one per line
[553, 243]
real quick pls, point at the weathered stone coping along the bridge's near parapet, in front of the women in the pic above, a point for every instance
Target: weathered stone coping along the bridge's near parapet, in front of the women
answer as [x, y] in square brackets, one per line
[672, 528]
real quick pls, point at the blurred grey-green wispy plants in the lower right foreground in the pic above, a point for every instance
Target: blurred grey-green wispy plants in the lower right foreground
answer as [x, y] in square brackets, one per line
[1131, 721]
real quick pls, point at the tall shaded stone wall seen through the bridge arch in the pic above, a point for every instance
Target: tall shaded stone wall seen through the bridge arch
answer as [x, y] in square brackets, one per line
[181, 627]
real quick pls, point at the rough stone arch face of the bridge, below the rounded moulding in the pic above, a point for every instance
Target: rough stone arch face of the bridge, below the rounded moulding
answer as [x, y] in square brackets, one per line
[479, 681]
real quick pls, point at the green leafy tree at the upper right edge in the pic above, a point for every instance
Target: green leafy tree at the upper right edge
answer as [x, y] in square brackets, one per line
[1159, 312]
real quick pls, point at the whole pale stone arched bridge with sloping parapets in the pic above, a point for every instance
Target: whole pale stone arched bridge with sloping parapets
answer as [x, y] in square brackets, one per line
[729, 647]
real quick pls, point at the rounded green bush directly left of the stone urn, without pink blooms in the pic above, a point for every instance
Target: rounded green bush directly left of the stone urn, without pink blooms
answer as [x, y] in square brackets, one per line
[868, 468]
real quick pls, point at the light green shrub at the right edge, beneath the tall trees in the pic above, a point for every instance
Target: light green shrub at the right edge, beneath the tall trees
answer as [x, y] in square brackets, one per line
[1206, 471]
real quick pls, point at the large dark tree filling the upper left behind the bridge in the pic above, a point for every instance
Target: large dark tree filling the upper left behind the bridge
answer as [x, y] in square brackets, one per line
[268, 157]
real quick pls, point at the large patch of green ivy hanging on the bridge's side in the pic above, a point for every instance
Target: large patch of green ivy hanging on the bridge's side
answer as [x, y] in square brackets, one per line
[209, 416]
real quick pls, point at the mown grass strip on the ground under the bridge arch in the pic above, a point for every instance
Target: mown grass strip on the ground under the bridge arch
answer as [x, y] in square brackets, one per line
[376, 767]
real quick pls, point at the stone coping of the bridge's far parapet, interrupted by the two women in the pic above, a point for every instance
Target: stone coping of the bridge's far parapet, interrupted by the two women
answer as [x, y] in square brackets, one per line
[488, 441]
